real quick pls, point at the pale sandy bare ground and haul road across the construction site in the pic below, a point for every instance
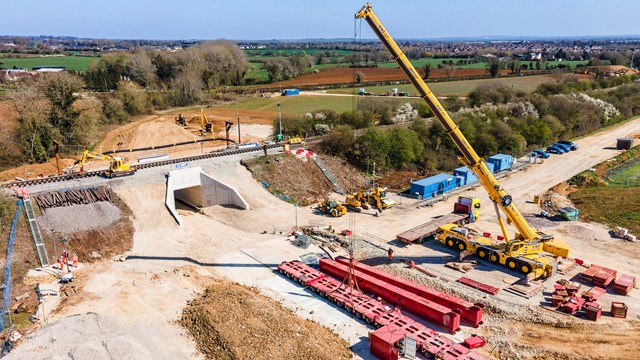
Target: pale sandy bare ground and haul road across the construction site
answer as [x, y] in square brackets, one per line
[132, 304]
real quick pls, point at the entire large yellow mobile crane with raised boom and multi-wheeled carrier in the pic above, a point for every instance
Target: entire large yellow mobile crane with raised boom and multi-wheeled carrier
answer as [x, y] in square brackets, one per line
[525, 251]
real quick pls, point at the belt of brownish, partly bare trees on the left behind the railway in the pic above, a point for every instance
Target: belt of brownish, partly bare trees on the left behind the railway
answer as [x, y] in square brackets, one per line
[54, 107]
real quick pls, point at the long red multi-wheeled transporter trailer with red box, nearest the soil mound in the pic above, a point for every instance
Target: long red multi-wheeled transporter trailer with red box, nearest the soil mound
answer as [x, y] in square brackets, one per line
[393, 326]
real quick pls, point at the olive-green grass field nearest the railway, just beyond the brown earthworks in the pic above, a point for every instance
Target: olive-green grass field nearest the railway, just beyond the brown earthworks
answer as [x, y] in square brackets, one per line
[303, 104]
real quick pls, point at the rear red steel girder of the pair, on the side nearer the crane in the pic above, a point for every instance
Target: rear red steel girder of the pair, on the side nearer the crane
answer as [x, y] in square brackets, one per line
[468, 311]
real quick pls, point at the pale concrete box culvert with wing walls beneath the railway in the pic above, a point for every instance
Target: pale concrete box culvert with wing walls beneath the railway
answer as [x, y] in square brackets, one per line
[197, 189]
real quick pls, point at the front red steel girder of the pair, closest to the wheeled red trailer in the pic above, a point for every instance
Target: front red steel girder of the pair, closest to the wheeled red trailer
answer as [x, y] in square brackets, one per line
[422, 307]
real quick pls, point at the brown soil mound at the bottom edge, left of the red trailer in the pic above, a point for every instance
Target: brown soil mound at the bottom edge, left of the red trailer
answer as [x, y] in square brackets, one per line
[229, 321]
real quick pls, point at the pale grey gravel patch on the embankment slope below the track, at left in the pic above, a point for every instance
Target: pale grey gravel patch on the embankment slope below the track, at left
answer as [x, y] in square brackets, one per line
[70, 219]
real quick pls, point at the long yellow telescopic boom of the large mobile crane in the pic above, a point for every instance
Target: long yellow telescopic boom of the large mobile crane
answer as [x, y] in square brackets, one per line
[470, 158]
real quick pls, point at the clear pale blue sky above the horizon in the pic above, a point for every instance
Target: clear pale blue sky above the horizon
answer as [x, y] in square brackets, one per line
[289, 19]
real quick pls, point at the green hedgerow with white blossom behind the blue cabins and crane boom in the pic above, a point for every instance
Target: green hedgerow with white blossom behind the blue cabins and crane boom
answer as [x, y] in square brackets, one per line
[494, 119]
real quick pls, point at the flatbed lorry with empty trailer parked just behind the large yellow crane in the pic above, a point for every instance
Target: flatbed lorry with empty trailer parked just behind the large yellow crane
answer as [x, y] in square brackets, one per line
[465, 211]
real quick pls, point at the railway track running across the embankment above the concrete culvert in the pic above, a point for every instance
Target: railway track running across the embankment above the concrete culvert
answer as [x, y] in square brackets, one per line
[62, 178]
